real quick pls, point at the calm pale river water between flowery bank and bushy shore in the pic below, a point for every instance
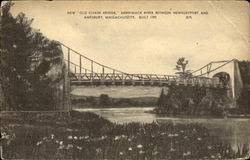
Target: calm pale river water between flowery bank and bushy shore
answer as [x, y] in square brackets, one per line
[234, 130]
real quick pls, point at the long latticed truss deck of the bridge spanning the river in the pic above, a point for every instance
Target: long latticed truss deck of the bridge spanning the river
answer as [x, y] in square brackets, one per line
[142, 80]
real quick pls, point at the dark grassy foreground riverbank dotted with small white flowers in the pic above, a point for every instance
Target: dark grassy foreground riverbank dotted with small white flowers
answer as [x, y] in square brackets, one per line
[89, 136]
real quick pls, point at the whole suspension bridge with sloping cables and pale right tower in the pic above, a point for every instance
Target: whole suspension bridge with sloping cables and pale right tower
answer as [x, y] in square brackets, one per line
[85, 71]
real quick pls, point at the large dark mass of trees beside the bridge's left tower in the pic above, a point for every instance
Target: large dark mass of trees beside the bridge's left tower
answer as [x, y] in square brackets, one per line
[24, 82]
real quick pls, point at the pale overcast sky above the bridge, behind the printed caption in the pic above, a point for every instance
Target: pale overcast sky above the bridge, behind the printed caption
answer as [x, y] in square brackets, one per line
[146, 46]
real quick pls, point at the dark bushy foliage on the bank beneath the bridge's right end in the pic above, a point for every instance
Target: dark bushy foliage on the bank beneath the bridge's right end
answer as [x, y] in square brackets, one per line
[193, 101]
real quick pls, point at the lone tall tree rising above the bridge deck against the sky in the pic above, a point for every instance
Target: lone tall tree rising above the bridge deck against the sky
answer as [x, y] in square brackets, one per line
[181, 67]
